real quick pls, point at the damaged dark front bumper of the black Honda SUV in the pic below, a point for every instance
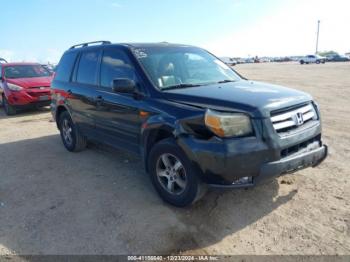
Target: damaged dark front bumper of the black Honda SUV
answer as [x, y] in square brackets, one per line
[245, 162]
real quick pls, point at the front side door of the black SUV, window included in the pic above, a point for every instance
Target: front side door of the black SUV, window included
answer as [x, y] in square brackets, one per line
[117, 115]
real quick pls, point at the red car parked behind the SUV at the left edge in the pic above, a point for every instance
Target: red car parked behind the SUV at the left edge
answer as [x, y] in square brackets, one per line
[24, 85]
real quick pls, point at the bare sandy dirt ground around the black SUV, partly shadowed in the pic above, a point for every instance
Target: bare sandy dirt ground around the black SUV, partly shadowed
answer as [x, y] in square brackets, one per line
[100, 201]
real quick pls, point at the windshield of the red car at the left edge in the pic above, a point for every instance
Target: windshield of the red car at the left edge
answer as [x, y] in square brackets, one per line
[25, 71]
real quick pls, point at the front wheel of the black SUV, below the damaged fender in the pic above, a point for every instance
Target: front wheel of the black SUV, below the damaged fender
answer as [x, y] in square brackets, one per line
[186, 186]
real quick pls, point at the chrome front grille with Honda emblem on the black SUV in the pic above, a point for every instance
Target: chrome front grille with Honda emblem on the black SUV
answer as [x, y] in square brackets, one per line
[289, 120]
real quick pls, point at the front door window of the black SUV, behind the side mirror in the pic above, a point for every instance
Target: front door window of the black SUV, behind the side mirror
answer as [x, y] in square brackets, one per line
[115, 64]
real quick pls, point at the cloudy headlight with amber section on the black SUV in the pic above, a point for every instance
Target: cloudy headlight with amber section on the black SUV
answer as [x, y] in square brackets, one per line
[228, 124]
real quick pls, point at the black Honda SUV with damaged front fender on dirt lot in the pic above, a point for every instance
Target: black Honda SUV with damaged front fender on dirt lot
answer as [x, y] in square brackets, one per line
[194, 121]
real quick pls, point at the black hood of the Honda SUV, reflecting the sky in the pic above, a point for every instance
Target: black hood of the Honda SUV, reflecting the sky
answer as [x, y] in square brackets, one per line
[256, 98]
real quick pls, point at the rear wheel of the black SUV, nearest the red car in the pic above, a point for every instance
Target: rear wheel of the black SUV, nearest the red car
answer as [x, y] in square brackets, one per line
[72, 139]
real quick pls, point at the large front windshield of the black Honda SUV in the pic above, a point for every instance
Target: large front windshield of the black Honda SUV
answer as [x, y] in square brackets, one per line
[176, 67]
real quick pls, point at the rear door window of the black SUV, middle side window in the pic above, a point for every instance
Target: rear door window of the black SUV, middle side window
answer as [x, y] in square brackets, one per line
[87, 69]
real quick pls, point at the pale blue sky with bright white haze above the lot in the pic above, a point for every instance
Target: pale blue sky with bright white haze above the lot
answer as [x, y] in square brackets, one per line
[41, 30]
